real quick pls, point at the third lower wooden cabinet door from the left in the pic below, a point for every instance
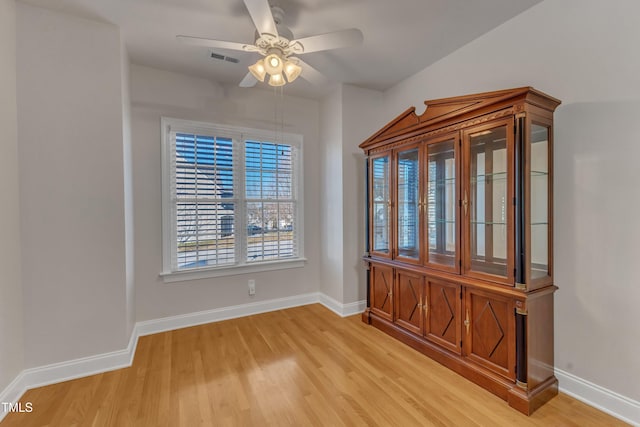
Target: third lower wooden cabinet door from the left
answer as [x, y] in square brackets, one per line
[443, 305]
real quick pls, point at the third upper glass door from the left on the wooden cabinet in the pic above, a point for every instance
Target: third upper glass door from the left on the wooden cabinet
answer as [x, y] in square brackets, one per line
[441, 203]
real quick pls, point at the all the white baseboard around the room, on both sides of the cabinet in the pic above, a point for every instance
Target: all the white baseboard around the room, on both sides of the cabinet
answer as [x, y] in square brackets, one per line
[619, 406]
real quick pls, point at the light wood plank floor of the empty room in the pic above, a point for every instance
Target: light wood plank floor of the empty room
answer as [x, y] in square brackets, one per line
[301, 366]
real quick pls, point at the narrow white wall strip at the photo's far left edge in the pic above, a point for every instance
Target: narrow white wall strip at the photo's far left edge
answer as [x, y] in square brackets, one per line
[11, 325]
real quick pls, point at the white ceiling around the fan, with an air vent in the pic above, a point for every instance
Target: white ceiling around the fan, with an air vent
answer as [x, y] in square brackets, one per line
[401, 37]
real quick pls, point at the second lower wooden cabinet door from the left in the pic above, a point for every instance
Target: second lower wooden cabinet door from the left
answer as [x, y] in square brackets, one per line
[408, 301]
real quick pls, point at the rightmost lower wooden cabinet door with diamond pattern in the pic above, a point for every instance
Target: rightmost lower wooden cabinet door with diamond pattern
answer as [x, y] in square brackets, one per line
[489, 328]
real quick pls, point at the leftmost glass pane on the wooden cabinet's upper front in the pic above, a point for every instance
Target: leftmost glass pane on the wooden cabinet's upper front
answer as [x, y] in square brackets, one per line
[380, 204]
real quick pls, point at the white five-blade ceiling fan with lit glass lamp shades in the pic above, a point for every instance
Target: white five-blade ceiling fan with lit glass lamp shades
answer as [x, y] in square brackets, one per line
[279, 50]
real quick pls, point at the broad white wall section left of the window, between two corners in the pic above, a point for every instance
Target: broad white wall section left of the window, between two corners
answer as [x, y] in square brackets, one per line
[70, 135]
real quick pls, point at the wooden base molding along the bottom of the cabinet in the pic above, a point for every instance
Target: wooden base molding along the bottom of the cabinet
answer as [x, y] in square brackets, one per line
[525, 401]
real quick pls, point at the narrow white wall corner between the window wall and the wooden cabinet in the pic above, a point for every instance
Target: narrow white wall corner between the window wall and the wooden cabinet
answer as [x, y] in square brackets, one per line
[349, 115]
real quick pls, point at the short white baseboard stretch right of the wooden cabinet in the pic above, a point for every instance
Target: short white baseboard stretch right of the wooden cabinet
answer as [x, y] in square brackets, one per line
[621, 407]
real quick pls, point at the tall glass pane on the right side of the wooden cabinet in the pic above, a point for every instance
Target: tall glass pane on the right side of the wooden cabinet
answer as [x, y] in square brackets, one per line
[539, 216]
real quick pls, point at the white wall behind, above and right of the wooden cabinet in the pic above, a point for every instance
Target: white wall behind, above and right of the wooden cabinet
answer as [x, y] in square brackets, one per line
[584, 53]
